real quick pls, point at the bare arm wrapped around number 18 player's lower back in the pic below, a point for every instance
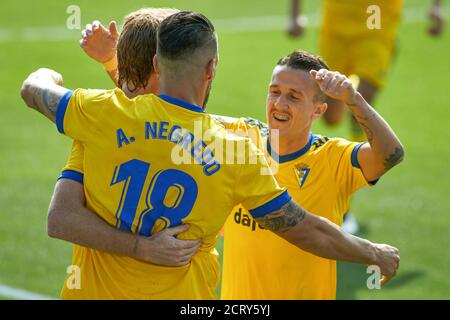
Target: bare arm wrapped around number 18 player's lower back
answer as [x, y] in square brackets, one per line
[70, 220]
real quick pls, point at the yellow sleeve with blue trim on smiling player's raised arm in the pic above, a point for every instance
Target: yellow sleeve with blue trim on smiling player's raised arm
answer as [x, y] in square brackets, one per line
[343, 158]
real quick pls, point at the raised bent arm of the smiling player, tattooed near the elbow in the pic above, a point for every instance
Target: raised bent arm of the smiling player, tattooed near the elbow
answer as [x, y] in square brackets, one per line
[384, 149]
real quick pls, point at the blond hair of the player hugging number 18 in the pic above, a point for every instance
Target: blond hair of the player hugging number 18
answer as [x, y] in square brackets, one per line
[137, 45]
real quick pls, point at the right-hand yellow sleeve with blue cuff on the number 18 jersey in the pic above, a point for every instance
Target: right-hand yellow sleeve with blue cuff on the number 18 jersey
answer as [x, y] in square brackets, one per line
[256, 188]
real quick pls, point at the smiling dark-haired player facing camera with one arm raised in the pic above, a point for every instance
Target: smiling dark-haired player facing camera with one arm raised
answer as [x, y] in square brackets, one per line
[320, 173]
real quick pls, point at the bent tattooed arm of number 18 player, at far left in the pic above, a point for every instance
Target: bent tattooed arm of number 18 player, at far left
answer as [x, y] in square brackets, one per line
[43, 90]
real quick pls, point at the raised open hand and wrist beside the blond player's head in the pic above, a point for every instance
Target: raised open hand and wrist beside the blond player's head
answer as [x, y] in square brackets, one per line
[100, 44]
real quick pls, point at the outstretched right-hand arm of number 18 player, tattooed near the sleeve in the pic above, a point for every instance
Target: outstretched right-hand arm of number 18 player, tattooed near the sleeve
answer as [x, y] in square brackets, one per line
[325, 239]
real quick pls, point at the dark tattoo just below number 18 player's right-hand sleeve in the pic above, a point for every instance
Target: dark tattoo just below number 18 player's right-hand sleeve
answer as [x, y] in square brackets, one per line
[283, 219]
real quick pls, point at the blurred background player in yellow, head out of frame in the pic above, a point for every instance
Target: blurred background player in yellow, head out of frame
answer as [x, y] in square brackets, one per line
[354, 46]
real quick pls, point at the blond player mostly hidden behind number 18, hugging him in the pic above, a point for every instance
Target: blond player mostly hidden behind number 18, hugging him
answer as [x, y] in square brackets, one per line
[68, 216]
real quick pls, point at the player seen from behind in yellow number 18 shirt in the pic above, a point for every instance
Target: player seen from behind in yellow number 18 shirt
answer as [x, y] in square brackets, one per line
[129, 144]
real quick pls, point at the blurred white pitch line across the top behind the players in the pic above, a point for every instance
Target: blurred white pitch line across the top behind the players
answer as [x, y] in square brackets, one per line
[234, 25]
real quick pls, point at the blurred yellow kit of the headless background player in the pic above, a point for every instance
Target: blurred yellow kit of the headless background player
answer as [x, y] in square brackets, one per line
[349, 41]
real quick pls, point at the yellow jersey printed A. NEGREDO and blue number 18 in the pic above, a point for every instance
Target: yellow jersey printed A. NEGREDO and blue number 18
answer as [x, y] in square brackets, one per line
[147, 166]
